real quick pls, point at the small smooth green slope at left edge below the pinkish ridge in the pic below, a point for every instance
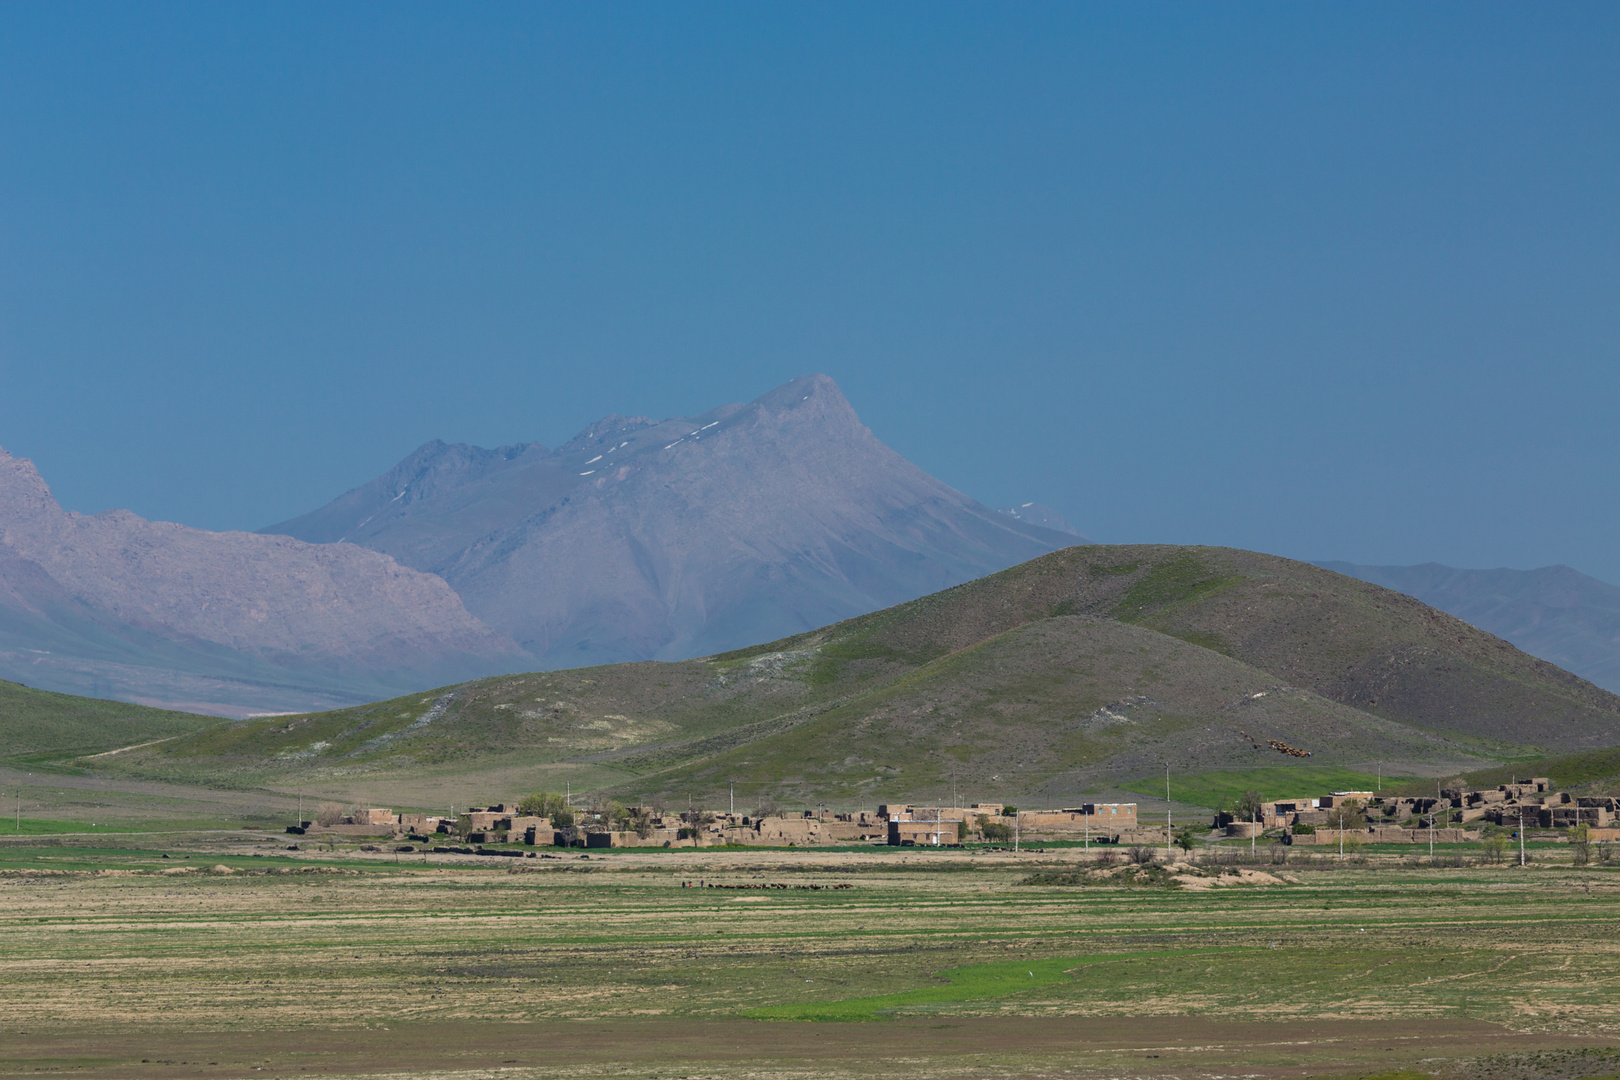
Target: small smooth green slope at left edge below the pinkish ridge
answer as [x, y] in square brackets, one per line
[40, 725]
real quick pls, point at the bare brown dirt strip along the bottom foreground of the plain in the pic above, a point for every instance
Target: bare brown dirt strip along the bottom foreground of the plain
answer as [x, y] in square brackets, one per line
[1185, 1047]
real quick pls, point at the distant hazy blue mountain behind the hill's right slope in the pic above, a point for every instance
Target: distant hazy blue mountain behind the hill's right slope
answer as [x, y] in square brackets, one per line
[1556, 613]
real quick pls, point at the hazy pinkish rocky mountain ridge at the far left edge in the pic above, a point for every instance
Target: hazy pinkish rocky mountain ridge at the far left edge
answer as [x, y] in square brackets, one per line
[228, 623]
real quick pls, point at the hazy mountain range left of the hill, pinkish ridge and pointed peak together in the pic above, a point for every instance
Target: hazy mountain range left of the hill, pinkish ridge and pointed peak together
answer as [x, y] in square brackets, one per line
[636, 540]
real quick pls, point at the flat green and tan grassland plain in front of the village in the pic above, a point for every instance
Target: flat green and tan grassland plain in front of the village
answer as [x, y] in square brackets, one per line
[232, 958]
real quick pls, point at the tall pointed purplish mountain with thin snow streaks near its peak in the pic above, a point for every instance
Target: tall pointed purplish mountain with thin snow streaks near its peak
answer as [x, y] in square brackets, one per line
[644, 540]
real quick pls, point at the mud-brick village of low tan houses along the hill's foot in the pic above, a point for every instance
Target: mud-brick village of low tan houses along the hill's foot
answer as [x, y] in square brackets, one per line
[1451, 817]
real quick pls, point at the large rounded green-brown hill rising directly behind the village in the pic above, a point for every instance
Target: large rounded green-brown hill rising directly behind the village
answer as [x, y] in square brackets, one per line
[1065, 678]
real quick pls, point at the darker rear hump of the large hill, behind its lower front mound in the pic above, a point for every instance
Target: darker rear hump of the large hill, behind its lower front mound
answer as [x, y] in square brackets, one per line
[1349, 640]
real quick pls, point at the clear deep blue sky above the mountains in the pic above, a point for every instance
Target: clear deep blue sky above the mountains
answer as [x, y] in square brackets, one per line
[1326, 281]
